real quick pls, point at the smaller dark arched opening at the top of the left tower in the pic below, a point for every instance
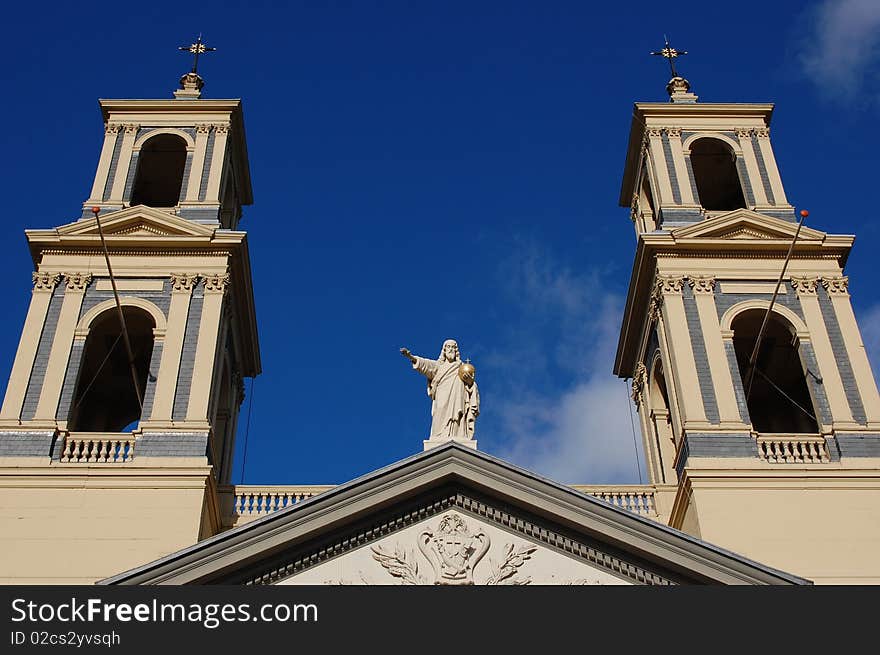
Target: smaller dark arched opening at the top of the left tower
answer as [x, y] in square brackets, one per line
[160, 171]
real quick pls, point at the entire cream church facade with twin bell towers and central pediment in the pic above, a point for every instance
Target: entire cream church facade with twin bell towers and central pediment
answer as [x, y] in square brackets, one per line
[758, 409]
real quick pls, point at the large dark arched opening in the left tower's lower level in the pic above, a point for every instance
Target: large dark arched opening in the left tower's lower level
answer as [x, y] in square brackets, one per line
[105, 399]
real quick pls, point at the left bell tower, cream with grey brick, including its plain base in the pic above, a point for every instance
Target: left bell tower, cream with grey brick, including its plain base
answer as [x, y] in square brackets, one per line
[139, 445]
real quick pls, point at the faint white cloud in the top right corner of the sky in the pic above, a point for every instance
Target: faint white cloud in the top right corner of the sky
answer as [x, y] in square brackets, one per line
[843, 48]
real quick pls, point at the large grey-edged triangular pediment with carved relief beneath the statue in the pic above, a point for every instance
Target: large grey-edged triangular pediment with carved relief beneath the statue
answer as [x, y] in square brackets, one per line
[452, 509]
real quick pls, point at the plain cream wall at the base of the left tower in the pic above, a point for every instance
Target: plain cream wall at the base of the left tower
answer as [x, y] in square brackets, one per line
[78, 524]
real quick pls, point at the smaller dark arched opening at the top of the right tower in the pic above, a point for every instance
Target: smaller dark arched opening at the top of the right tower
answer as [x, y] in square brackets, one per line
[718, 184]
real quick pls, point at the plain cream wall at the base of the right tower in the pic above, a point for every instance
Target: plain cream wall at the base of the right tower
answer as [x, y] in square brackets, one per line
[816, 521]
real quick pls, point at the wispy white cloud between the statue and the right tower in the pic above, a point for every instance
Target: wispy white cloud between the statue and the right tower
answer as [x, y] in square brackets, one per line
[578, 431]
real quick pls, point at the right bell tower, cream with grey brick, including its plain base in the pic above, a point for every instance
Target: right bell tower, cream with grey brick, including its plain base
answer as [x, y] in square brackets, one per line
[764, 447]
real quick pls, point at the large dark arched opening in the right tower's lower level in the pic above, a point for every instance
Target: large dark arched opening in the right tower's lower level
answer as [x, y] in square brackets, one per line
[779, 400]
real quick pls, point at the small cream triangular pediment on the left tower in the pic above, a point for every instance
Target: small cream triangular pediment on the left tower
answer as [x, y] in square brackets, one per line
[137, 222]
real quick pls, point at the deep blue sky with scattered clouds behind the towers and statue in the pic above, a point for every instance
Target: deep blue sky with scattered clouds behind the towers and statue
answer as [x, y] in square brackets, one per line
[431, 170]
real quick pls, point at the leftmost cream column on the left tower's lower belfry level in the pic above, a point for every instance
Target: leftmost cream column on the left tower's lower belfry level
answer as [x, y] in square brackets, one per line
[44, 286]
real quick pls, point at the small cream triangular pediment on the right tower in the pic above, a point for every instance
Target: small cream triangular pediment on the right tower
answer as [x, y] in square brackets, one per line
[744, 224]
